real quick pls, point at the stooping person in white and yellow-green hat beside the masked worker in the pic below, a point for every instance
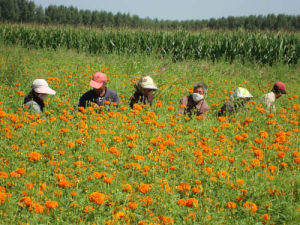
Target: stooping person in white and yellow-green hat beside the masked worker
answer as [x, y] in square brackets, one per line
[238, 100]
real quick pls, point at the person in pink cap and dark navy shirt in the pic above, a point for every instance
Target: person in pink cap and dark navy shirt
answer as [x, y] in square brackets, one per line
[100, 95]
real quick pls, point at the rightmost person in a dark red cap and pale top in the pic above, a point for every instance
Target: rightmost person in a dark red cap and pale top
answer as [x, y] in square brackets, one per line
[269, 98]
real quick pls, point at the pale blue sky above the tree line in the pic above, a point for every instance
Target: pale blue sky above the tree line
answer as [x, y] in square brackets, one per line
[184, 9]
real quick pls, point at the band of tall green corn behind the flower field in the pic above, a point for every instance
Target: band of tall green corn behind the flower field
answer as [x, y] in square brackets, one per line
[259, 47]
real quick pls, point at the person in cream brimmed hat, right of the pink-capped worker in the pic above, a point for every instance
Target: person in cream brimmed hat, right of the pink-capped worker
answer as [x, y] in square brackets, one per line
[144, 89]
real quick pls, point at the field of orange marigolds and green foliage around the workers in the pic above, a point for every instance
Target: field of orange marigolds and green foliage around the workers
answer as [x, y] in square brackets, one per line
[146, 165]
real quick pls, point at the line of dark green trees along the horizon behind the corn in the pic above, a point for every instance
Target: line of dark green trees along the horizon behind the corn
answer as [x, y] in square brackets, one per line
[25, 11]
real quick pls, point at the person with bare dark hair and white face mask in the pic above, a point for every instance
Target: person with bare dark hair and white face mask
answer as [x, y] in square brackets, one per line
[195, 103]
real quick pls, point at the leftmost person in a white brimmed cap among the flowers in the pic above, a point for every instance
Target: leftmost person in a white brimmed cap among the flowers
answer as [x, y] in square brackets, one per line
[35, 99]
